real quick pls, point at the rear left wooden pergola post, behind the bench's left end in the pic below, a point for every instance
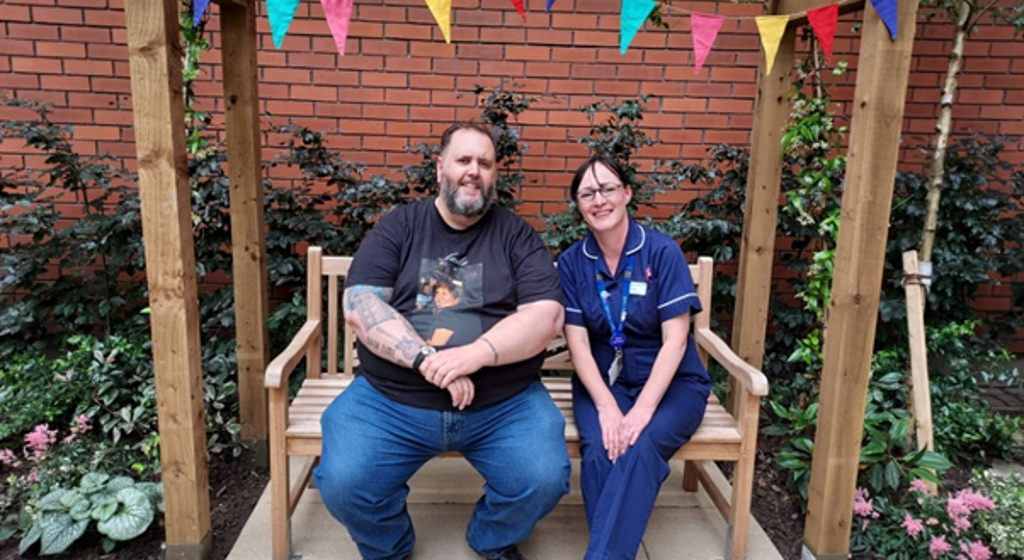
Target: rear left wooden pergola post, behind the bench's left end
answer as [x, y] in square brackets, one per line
[248, 238]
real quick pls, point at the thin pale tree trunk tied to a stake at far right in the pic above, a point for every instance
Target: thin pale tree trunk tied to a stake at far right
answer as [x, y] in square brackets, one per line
[943, 130]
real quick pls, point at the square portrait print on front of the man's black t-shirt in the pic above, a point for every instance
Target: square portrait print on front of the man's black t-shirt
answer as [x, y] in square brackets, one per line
[451, 293]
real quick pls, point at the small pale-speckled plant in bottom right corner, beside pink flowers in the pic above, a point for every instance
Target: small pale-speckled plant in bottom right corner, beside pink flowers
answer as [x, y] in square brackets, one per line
[1005, 523]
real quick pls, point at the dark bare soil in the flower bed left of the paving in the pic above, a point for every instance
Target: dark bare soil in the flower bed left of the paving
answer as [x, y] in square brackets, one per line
[236, 485]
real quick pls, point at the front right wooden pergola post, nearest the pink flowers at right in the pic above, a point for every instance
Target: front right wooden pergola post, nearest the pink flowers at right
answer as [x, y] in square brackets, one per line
[878, 115]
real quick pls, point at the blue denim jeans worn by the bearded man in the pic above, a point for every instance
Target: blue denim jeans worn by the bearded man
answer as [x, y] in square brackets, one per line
[373, 446]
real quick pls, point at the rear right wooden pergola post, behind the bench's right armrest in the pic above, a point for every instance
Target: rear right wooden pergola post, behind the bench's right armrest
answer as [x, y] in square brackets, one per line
[757, 248]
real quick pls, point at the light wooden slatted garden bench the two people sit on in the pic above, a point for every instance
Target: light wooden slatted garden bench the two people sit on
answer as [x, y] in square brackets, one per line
[295, 428]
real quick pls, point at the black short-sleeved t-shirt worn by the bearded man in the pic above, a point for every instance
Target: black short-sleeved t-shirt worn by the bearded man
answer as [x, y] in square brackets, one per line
[453, 287]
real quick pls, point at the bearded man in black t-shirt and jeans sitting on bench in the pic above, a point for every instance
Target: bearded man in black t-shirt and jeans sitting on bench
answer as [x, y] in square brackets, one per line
[480, 395]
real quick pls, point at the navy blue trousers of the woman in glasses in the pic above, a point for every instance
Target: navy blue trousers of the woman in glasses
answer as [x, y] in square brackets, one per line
[619, 498]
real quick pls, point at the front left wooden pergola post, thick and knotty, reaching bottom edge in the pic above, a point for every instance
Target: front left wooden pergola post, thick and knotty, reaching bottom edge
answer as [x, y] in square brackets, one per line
[155, 59]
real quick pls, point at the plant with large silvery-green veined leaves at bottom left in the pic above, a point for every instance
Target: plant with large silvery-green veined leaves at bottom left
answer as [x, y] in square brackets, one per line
[120, 508]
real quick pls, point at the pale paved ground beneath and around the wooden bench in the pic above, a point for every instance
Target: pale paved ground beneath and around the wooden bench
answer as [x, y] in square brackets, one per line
[685, 527]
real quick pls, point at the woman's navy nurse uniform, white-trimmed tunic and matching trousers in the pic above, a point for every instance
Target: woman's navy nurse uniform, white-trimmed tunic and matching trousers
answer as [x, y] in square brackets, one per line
[620, 497]
